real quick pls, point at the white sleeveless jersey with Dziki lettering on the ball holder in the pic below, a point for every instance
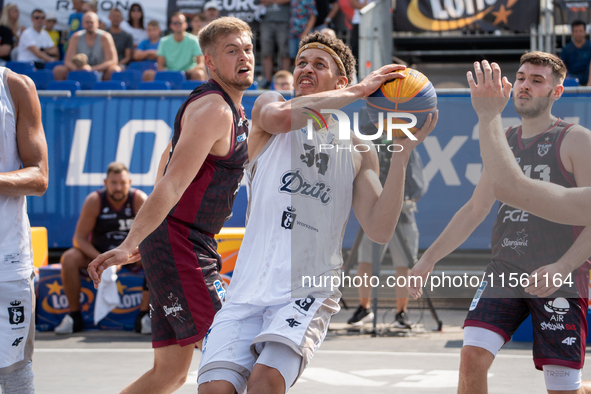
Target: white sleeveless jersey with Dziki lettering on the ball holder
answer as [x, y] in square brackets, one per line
[300, 195]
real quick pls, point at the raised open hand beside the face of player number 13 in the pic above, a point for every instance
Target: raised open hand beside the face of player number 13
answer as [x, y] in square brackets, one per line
[490, 93]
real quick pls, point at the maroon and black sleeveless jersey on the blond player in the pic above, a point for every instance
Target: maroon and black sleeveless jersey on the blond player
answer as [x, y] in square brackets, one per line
[207, 203]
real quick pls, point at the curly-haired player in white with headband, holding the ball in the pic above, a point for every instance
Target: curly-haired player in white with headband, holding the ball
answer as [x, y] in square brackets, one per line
[300, 198]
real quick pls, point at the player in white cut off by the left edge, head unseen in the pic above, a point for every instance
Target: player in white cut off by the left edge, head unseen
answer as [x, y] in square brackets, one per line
[23, 172]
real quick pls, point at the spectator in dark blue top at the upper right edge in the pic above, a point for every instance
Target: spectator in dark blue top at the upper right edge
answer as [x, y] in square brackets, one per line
[576, 55]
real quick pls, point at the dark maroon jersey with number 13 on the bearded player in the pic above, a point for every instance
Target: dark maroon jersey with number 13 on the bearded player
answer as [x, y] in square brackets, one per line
[524, 241]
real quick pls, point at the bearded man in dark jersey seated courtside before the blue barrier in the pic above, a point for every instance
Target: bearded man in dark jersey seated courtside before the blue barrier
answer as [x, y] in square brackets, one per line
[105, 219]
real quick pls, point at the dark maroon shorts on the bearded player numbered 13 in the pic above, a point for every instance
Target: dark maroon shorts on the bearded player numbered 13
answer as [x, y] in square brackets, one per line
[559, 323]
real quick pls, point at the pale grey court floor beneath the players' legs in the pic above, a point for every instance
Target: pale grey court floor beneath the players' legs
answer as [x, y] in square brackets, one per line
[347, 362]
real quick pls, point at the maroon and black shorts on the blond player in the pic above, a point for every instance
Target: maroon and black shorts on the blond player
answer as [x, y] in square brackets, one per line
[182, 270]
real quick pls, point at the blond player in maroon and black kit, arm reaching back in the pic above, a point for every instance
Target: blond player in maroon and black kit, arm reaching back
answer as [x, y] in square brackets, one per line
[176, 226]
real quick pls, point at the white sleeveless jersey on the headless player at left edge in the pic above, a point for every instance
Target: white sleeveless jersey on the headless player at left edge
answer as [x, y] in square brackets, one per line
[15, 233]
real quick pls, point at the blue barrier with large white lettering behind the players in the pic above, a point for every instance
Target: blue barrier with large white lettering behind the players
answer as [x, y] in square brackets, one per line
[85, 133]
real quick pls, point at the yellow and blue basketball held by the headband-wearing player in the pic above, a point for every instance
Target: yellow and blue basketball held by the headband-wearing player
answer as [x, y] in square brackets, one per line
[414, 94]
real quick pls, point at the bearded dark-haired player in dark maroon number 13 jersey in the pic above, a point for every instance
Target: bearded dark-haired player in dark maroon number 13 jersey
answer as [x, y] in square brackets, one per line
[545, 148]
